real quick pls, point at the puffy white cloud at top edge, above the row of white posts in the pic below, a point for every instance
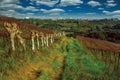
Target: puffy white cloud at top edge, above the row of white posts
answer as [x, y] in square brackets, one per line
[45, 2]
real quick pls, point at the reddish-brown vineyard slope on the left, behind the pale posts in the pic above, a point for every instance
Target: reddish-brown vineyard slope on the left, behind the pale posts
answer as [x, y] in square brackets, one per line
[24, 27]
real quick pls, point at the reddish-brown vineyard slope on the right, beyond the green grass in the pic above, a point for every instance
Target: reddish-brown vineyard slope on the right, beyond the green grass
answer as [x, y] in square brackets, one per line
[101, 45]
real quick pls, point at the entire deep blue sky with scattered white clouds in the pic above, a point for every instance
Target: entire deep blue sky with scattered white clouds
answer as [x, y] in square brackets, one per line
[83, 9]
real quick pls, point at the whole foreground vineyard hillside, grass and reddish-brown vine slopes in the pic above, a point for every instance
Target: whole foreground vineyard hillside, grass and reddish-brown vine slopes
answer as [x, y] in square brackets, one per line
[66, 58]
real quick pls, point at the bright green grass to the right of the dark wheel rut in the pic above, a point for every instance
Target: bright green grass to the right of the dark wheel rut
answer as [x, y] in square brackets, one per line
[80, 65]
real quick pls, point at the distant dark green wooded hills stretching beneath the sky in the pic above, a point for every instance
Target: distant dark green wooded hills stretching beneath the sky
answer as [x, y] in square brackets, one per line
[105, 29]
